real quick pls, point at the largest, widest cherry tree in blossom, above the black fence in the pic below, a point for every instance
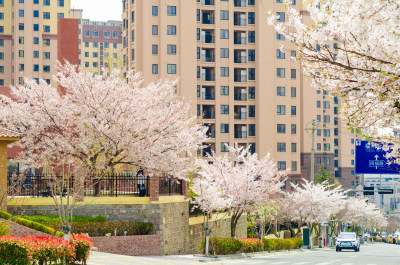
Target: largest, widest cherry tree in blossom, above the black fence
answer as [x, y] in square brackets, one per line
[103, 121]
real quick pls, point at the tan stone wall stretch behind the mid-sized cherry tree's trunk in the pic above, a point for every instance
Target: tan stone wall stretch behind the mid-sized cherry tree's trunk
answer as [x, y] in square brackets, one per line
[220, 228]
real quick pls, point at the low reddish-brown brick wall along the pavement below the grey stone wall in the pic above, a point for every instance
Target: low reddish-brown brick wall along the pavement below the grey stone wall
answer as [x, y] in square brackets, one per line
[149, 245]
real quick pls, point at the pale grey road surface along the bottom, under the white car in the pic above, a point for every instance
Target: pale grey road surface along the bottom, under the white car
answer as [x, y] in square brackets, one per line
[370, 254]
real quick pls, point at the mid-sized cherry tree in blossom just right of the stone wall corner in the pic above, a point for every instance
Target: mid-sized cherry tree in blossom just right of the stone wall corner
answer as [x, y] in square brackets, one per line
[242, 178]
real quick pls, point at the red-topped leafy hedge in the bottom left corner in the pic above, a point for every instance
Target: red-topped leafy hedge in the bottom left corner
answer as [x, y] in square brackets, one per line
[43, 250]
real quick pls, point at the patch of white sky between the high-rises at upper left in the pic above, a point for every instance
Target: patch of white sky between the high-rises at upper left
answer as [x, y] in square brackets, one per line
[99, 10]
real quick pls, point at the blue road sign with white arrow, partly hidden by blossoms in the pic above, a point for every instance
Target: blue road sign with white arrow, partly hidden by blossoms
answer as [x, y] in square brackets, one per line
[370, 159]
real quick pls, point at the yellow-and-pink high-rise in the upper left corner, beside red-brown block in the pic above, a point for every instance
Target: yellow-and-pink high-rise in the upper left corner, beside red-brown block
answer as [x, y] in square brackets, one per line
[28, 38]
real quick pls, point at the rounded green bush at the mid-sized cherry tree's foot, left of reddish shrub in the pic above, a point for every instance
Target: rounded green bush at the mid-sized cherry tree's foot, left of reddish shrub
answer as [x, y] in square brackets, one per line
[222, 246]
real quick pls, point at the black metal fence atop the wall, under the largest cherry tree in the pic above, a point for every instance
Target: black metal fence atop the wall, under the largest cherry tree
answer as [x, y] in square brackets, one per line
[111, 186]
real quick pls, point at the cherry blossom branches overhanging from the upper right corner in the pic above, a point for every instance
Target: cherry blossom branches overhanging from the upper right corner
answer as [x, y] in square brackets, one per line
[352, 50]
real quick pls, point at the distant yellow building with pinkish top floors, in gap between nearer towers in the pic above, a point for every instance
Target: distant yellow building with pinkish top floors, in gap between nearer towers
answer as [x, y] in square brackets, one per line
[100, 44]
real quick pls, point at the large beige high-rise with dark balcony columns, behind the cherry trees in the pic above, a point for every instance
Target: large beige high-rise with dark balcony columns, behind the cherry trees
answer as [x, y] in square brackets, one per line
[244, 88]
